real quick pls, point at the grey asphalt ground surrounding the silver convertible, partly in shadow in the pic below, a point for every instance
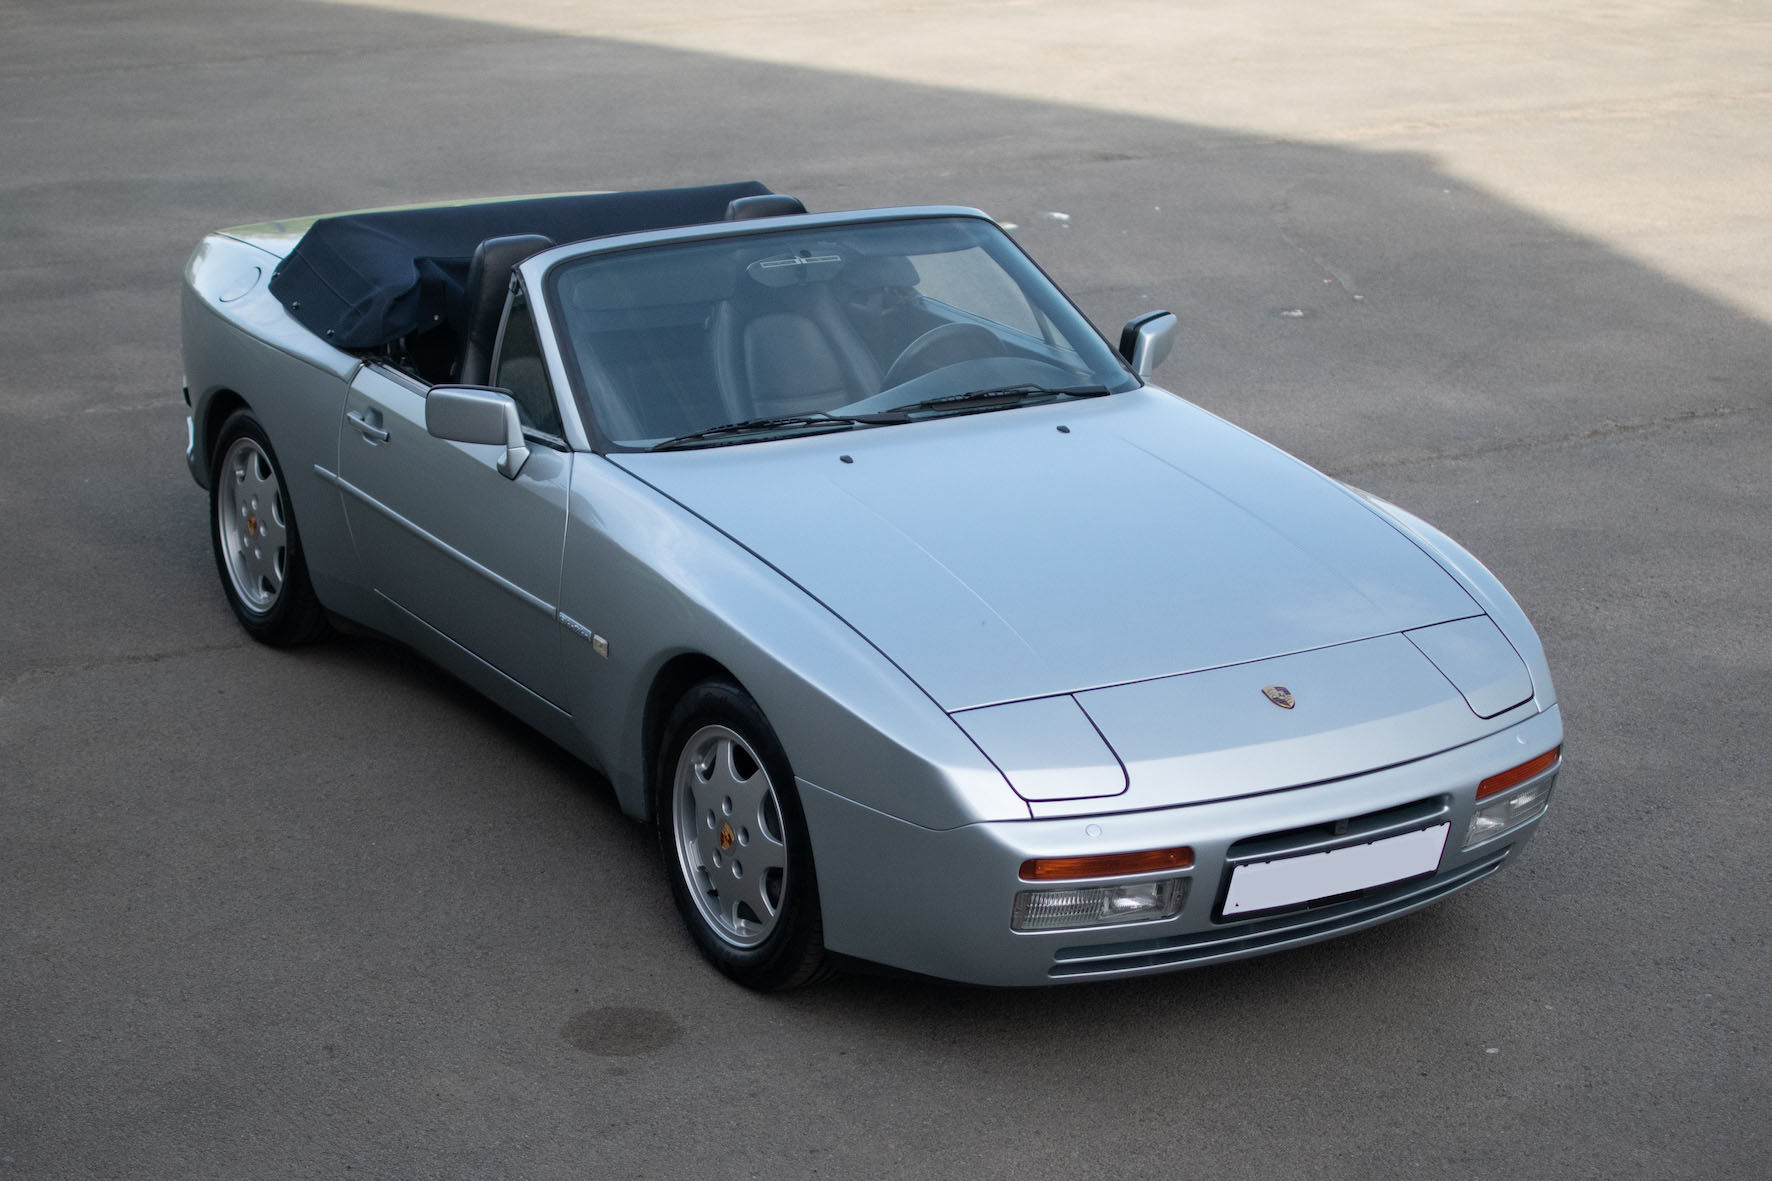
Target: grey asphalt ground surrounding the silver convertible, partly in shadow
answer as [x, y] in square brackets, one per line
[325, 912]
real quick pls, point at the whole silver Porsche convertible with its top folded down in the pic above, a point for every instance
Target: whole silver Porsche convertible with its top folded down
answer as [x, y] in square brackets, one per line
[922, 627]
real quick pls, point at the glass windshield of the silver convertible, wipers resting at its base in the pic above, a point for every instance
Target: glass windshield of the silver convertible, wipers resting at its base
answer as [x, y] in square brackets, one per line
[841, 327]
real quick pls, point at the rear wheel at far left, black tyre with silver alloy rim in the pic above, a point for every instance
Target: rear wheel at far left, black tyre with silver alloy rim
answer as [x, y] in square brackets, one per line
[256, 542]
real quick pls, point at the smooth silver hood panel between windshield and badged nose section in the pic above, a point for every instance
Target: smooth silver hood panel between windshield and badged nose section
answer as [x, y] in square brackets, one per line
[1069, 547]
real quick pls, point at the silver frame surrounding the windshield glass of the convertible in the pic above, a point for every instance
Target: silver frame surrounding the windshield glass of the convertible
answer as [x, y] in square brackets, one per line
[548, 272]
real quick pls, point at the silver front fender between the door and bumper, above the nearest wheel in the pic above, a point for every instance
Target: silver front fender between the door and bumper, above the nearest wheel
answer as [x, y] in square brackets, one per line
[646, 581]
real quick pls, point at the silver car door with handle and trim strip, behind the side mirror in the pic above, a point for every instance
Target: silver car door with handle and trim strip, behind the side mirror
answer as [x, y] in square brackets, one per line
[449, 540]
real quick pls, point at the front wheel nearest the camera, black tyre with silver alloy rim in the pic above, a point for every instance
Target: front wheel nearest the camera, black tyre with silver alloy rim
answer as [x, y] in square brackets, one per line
[734, 841]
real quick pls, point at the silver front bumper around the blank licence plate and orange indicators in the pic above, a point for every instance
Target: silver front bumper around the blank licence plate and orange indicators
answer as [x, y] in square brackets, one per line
[940, 902]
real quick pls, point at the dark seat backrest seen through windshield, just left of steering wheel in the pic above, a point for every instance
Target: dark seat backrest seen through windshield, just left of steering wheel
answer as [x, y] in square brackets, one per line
[789, 356]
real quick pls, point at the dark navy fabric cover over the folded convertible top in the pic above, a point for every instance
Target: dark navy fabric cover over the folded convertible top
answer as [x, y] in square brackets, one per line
[361, 281]
